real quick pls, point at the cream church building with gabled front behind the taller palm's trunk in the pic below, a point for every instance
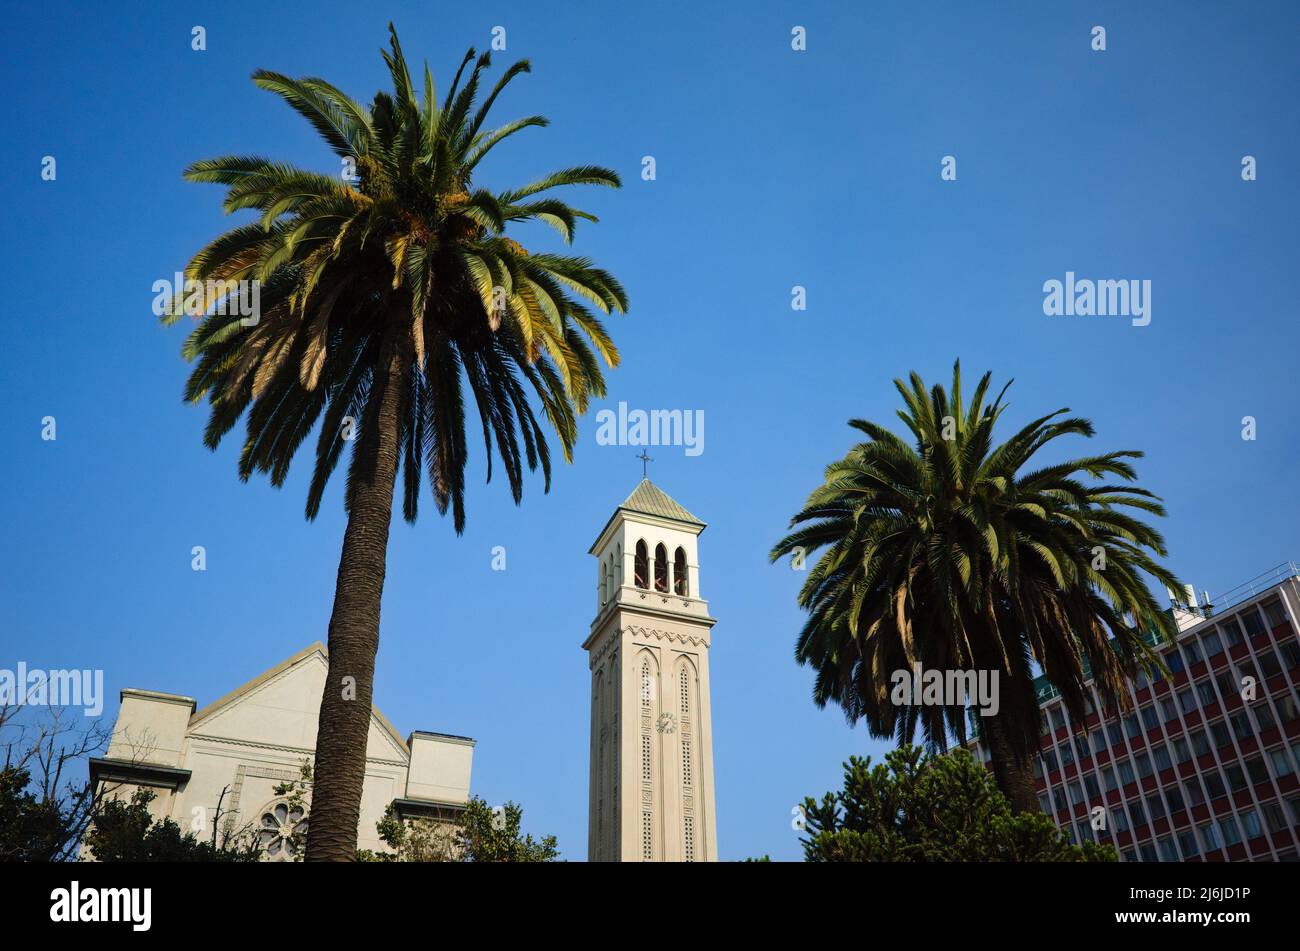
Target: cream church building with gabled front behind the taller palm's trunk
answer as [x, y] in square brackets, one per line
[232, 754]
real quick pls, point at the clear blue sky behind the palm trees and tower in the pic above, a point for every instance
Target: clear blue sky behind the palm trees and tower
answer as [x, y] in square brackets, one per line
[774, 170]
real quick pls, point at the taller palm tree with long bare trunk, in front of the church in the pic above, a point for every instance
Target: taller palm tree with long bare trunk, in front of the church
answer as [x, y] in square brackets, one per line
[380, 301]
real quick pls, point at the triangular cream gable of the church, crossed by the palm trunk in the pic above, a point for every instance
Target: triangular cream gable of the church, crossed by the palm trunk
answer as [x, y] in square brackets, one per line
[281, 709]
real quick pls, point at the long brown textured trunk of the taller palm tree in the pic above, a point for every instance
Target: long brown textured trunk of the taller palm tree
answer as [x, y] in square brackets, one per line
[354, 631]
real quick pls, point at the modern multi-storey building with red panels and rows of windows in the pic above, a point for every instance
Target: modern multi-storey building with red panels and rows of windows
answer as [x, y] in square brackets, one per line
[1206, 767]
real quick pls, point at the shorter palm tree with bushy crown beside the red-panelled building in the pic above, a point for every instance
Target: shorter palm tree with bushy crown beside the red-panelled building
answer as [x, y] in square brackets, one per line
[956, 554]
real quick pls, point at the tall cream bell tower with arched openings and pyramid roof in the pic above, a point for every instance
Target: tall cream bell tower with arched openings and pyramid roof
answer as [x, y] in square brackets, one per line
[652, 793]
